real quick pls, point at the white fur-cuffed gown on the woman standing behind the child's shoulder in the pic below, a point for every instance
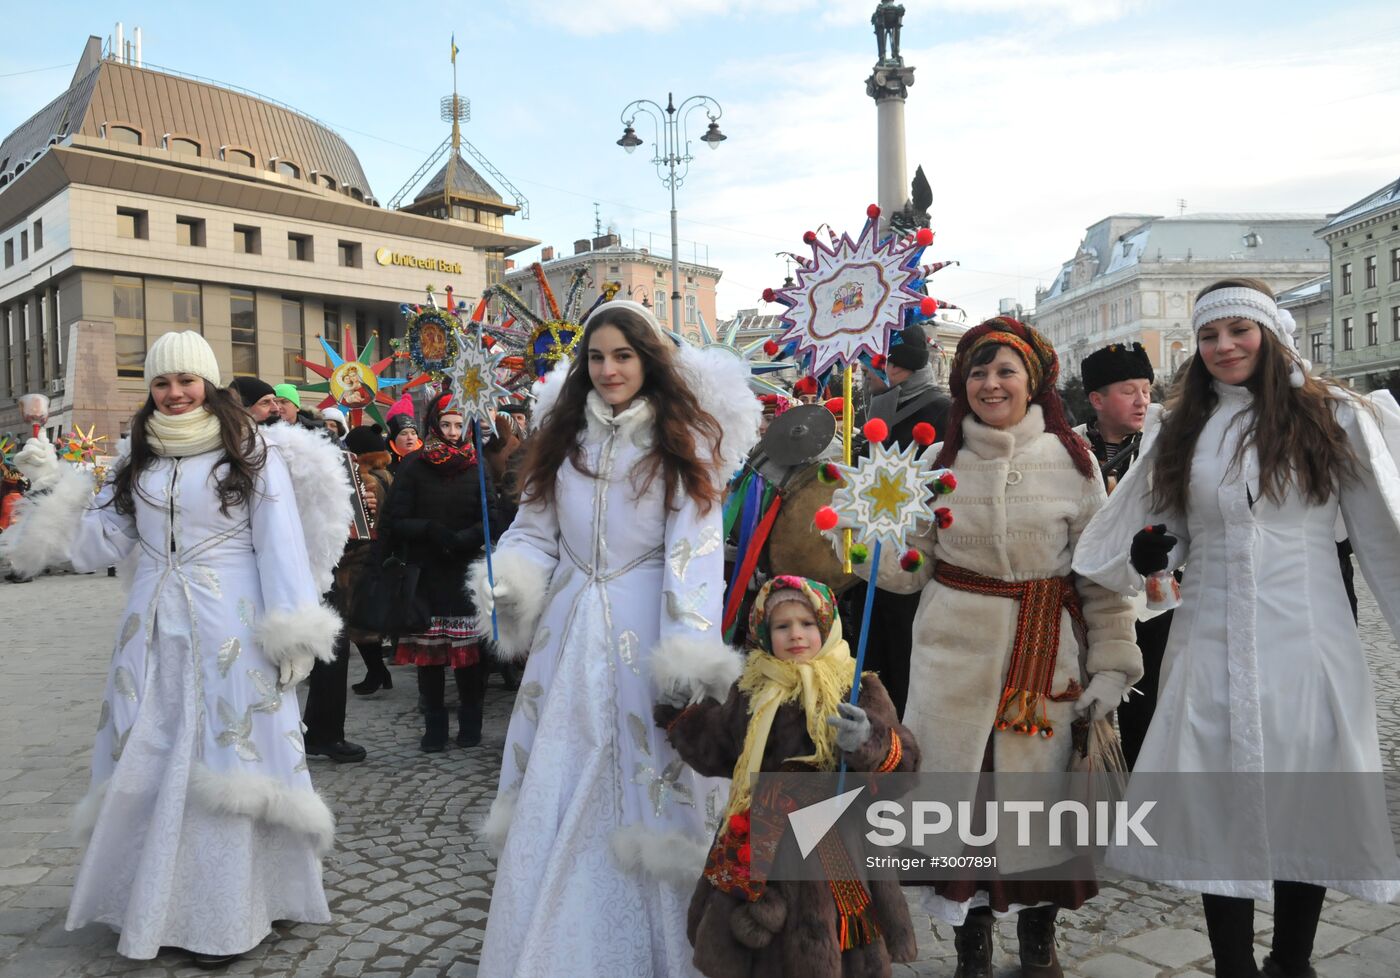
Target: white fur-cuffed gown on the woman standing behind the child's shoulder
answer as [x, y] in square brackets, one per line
[610, 828]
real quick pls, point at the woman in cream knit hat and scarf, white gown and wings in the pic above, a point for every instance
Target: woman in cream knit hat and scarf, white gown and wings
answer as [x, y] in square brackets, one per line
[204, 825]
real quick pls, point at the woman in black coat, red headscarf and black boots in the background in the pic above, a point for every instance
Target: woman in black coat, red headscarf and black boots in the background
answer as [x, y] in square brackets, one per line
[433, 523]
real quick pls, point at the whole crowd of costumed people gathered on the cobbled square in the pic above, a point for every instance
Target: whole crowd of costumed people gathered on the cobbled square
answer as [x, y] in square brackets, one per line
[268, 541]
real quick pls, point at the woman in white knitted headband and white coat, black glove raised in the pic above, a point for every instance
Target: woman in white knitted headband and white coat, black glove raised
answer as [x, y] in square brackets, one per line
[1263, 674]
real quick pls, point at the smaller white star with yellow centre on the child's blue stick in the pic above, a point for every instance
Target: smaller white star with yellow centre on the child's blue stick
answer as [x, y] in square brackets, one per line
[887, 495]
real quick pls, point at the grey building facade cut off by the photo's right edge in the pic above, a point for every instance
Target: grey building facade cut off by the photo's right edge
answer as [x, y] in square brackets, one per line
[1364, 241]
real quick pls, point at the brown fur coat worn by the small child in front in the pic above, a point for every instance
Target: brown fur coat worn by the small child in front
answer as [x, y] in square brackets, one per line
[792, 931]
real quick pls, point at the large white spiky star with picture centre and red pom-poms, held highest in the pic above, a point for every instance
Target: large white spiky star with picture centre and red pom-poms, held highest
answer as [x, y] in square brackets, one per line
[850, 297]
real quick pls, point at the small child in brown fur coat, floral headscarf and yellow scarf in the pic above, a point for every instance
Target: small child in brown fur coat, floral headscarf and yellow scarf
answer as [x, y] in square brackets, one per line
[789, 713]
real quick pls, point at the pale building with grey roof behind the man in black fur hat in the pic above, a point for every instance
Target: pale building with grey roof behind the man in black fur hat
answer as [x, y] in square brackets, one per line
[1135, 278]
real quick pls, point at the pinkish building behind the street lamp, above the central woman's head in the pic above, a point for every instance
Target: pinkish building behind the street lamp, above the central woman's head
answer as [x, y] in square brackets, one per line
[645, 279]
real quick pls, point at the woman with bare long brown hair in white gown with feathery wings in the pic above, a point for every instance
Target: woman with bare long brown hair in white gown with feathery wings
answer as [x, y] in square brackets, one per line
[612, 572]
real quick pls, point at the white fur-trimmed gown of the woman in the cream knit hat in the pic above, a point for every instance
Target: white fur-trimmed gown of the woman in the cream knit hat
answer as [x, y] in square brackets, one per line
[205, 825]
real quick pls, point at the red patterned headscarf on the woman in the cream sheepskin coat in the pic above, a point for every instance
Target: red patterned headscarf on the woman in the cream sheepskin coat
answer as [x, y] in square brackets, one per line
[1044, 370]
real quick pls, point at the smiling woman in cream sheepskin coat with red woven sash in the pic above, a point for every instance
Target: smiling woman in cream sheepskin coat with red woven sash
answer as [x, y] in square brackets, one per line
[989, 692]
